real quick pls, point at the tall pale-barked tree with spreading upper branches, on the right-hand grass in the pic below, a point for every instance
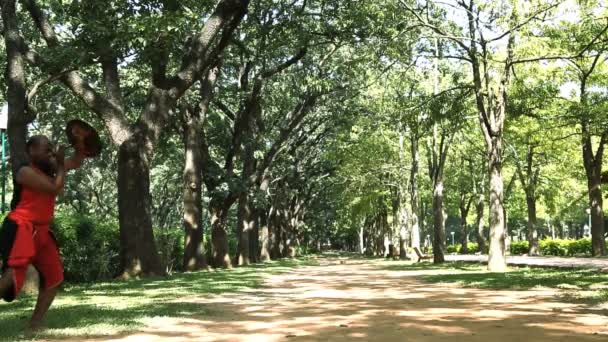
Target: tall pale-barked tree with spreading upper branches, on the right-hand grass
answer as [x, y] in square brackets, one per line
[490, 83]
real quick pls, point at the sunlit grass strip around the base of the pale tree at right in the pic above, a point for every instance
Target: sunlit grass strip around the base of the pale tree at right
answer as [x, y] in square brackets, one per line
[581, 285]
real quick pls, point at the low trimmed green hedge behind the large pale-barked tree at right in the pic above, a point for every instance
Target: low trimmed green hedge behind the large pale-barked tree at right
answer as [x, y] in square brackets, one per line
[557, 247]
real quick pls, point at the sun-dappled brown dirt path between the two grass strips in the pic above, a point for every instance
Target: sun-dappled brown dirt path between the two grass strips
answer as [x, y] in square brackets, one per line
[361, 301]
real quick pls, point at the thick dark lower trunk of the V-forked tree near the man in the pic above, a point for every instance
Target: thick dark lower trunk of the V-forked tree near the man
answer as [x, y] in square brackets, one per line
[139, 253]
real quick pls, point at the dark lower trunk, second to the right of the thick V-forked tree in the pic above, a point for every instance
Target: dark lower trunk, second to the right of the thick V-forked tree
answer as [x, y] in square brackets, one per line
[219, 237]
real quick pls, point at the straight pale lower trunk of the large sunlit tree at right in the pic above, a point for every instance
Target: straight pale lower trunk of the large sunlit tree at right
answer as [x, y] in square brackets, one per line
[497, 260]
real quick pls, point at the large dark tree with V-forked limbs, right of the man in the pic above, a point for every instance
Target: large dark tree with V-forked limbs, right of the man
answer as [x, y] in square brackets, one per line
[107, 48]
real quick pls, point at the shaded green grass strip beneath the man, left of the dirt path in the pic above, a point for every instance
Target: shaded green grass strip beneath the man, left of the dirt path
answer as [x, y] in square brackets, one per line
[110, 308]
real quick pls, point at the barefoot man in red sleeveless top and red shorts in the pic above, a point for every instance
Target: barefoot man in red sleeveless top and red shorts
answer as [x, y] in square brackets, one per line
[25, 236]
